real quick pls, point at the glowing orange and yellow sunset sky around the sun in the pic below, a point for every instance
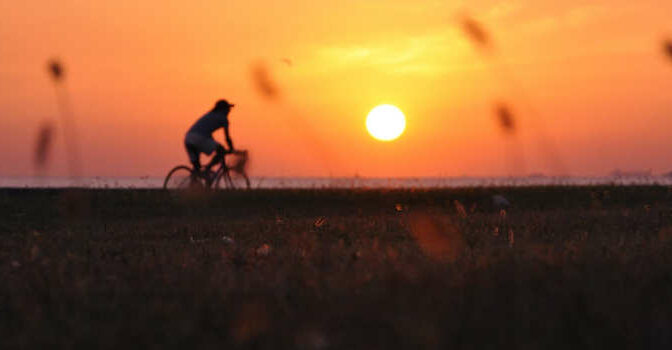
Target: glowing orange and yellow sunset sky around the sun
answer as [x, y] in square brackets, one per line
[140, 72]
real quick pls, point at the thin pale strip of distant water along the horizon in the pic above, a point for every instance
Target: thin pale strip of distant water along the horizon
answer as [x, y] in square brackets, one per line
[342, 182]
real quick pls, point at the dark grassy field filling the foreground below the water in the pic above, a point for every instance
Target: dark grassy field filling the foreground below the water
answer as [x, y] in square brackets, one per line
[561, 268]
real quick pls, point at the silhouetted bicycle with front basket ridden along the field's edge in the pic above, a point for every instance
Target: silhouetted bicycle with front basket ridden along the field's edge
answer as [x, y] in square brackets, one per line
[227, 176]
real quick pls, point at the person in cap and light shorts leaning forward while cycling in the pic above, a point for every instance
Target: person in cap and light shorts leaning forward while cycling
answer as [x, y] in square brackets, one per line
[199, 137]
